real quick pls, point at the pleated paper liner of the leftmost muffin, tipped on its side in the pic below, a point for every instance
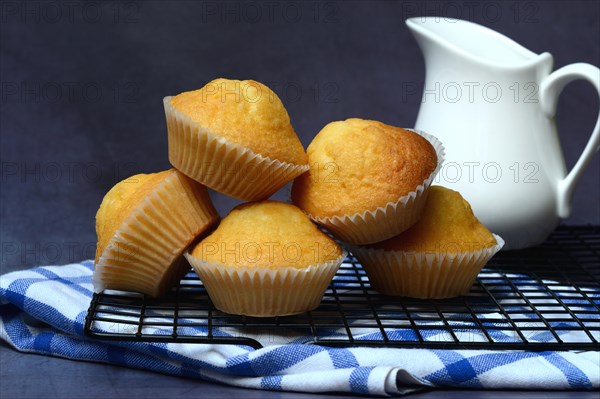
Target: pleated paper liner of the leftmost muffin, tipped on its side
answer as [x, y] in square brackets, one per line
[145, 253]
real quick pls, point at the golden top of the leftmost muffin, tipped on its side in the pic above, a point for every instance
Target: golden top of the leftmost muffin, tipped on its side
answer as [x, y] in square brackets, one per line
[120, 201]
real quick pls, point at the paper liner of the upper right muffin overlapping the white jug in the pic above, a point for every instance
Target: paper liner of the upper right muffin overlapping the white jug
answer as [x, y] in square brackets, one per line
[388, 221]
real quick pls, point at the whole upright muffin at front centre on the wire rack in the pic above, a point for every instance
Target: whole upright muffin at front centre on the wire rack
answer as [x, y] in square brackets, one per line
[266, 259]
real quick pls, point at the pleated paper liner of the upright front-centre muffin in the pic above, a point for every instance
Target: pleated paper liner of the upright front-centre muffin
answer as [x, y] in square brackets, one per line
[261, 292]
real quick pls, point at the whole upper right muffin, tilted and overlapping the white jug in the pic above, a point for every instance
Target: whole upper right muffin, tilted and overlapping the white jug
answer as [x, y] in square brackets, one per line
[368, 181]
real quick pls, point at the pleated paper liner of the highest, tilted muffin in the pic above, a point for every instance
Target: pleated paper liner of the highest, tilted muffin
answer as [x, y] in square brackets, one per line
[226, 167]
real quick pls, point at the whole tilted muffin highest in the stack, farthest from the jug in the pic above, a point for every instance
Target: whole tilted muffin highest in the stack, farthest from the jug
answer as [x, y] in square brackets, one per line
[234, 137]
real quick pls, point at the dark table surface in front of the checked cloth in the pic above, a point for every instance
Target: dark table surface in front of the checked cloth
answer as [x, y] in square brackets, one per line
[26, 376]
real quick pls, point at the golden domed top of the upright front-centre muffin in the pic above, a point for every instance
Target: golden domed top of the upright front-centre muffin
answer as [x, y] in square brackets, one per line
[267, 234]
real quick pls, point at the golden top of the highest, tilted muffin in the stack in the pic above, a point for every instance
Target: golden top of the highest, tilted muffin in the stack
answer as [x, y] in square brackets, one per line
[245, 112]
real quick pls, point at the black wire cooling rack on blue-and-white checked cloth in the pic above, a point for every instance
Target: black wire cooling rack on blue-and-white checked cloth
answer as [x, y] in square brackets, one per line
[544, 298]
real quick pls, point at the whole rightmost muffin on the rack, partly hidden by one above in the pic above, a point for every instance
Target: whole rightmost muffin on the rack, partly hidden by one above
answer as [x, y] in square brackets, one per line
[439, 257]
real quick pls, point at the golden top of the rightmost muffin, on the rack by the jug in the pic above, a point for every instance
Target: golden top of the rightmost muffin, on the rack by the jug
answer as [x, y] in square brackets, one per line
[447, 225]
